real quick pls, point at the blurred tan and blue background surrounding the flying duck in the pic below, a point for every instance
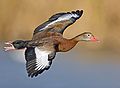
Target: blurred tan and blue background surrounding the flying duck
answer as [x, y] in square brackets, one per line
[88, 65]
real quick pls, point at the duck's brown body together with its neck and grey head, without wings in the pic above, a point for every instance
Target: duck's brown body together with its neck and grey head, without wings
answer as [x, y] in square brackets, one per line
[56, 39]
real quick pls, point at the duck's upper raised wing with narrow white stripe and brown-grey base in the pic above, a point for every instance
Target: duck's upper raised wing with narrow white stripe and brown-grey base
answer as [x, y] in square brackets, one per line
[59, 22]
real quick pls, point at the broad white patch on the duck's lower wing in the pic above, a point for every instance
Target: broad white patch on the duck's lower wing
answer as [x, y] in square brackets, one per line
[41, 59]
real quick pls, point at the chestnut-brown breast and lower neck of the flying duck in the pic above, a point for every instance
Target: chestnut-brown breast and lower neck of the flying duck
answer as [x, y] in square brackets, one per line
[67, 45]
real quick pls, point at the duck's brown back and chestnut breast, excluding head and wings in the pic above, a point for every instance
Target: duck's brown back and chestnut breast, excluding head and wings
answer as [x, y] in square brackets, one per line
[56, 39]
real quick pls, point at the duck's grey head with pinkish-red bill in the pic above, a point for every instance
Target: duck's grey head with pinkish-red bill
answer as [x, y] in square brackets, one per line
[86, 36]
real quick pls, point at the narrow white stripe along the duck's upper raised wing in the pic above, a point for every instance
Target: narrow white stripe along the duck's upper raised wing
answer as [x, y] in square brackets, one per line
[62, 18]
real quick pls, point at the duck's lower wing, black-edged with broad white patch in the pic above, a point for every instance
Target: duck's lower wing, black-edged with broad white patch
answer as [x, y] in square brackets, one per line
[38, 60]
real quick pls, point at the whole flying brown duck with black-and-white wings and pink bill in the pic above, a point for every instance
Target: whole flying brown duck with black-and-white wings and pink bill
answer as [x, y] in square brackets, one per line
[47, 40]
